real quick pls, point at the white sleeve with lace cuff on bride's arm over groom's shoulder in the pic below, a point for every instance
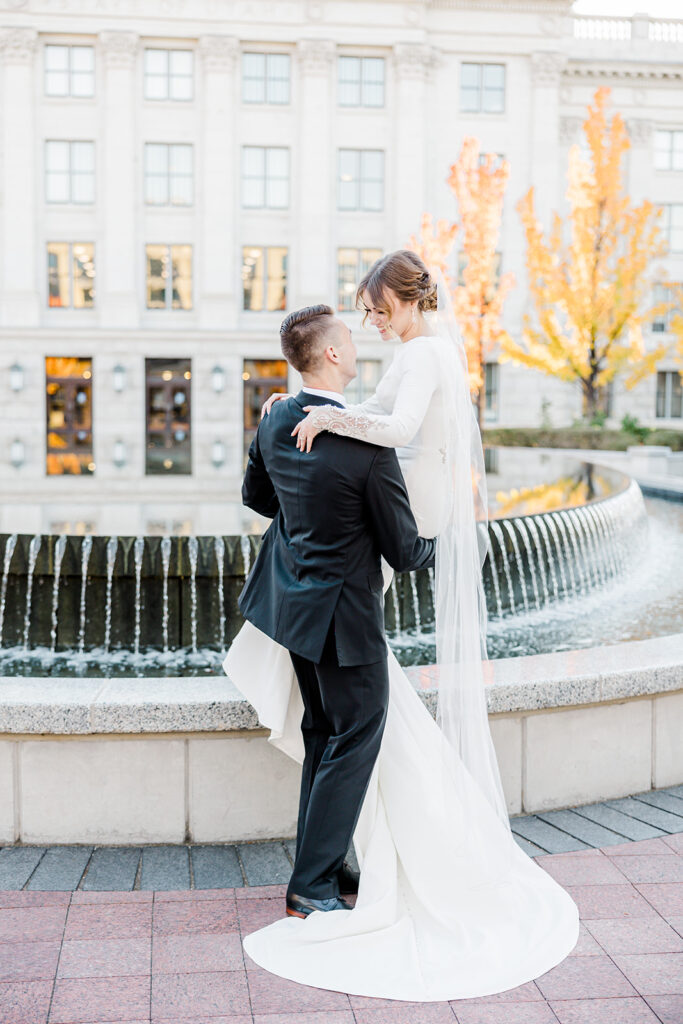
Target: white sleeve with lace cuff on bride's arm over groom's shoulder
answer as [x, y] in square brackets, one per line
[417, 382]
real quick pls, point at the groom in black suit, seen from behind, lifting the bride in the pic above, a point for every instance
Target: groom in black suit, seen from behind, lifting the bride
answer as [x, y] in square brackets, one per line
[317, 589]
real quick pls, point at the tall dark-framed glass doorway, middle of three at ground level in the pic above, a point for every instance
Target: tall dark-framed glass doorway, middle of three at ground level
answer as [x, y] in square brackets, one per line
[168, 449]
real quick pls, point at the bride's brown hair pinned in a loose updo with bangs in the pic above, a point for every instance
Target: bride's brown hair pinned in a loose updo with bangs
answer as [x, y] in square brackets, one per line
[406, 275]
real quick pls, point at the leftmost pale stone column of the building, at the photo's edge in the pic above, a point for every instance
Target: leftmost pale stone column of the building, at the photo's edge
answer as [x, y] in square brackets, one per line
[22, 264]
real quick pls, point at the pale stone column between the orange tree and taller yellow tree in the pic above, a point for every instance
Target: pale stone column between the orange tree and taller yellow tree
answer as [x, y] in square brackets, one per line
[548, 184]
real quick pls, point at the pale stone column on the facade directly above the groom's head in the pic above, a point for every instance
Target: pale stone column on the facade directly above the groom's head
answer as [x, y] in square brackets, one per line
[314, 169]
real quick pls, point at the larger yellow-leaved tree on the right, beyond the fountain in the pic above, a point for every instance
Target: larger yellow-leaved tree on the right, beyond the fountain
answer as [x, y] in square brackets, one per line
[590, 293]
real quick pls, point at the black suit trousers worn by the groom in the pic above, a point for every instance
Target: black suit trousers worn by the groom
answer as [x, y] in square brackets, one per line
[345, 716]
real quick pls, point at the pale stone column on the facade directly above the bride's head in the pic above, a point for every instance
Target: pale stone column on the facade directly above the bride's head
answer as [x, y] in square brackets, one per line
[413, 64]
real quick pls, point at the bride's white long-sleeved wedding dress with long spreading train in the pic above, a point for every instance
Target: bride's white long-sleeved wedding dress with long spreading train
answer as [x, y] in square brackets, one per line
[449, 906]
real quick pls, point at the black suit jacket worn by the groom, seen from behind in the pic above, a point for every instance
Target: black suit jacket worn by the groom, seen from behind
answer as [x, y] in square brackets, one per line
[335, 510]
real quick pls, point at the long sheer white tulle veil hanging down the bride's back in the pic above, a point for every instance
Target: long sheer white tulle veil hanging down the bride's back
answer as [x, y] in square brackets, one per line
[460, 601]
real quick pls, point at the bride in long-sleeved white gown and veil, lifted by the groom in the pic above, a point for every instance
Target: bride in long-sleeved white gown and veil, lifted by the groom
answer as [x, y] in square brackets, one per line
[449, 907]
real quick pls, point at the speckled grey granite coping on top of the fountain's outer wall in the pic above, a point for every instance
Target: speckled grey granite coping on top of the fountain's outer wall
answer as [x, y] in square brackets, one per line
[70, 706]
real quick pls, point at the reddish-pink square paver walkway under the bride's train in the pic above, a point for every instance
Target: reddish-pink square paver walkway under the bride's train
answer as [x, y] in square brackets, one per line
[177, 958]
